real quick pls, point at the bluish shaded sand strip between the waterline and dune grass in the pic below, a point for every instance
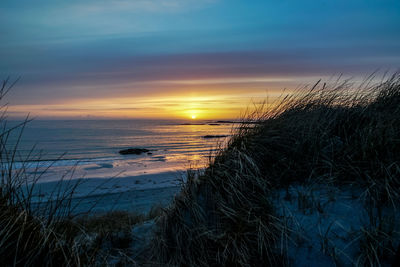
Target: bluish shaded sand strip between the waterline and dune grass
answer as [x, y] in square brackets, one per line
[133, 193]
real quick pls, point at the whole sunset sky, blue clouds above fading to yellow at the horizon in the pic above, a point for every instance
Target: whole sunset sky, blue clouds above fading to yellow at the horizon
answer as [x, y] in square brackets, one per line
[208, 59]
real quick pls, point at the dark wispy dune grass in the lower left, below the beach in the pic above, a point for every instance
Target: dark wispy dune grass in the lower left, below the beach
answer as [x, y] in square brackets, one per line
[50, 233]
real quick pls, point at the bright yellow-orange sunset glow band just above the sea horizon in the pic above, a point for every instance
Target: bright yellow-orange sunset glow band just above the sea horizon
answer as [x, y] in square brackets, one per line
[196, 105]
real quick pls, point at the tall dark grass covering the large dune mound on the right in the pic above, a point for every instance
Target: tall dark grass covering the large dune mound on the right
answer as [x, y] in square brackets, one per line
[340, 134]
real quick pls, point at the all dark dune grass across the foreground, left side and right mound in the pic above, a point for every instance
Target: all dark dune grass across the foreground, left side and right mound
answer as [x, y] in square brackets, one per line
[337, 135]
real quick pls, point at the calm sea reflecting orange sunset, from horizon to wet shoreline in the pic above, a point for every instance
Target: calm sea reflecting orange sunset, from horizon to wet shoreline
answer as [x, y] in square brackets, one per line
[95, 144]
